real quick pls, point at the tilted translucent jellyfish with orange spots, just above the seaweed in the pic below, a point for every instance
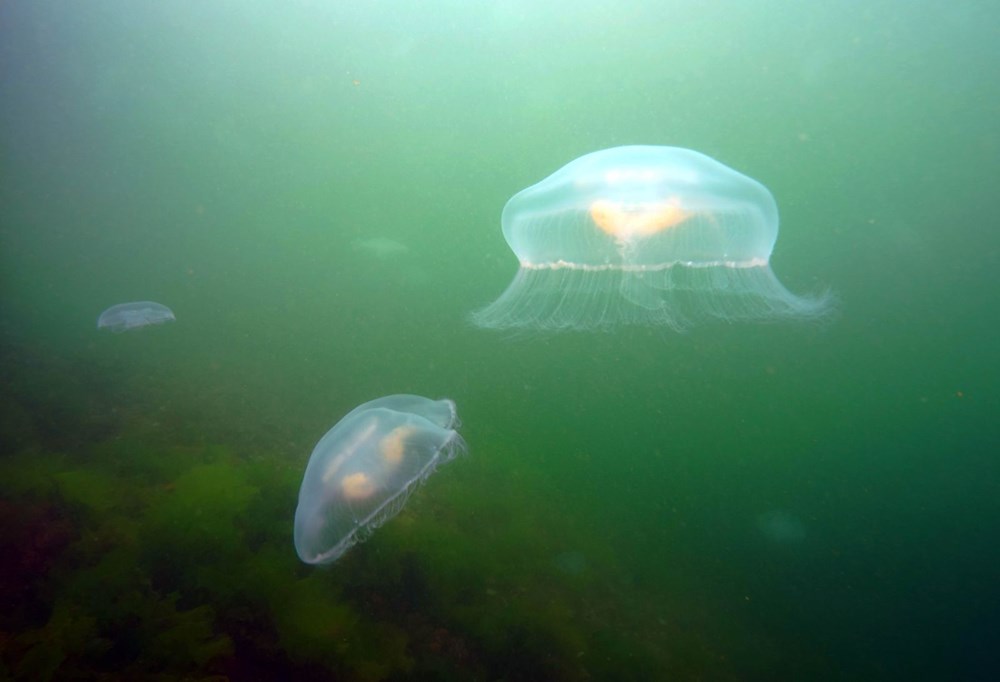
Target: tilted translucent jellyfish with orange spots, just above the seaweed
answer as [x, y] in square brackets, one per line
[362, 471]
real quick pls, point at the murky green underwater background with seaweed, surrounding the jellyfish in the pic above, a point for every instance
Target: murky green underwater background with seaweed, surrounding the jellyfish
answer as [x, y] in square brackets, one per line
[314, 188]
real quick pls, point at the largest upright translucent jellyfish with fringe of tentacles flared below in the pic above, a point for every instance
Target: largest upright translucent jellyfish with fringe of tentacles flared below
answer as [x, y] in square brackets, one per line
[643, 235]
